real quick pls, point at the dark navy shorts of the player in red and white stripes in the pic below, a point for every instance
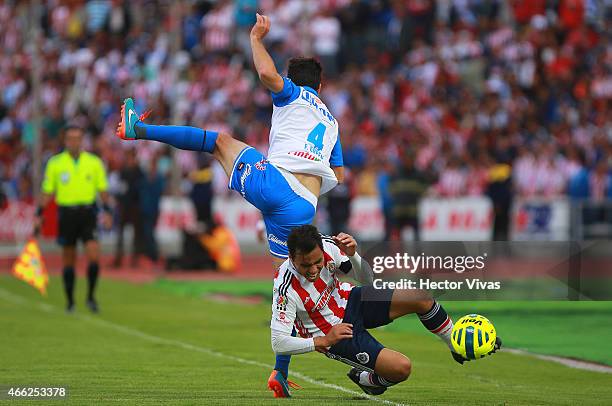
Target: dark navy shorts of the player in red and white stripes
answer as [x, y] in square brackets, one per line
[366, 308]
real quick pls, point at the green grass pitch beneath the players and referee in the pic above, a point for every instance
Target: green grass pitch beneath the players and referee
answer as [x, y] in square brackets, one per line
[157, 345]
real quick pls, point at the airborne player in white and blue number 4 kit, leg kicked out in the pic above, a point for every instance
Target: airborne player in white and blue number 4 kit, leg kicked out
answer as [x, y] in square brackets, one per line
[304, 158]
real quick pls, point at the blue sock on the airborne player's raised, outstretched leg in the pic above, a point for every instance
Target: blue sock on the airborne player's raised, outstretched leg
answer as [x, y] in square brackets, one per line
[179, 136]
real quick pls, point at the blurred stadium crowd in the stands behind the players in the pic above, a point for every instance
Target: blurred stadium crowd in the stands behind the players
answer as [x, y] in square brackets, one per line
[441, 91]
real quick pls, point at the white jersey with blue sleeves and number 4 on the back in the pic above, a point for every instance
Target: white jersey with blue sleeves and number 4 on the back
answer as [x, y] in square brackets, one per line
[304, 137]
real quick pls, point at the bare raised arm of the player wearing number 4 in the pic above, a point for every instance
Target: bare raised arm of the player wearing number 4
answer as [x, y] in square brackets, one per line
[262, 59]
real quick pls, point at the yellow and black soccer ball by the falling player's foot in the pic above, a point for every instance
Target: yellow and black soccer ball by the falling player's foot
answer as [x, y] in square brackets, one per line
[473, 336]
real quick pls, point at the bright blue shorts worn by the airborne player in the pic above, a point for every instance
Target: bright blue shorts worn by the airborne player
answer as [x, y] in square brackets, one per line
[263, 185]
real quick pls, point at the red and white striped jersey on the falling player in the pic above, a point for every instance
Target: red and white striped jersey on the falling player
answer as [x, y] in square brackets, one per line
[312, 307]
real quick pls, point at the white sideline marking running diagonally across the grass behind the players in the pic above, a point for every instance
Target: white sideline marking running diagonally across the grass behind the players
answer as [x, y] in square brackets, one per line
[11, 297]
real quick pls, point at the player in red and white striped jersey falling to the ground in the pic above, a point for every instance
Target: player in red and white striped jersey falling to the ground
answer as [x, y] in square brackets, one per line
[332, 317]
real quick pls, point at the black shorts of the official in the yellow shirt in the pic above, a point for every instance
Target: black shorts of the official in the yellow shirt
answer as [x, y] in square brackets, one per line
[77, 223]
